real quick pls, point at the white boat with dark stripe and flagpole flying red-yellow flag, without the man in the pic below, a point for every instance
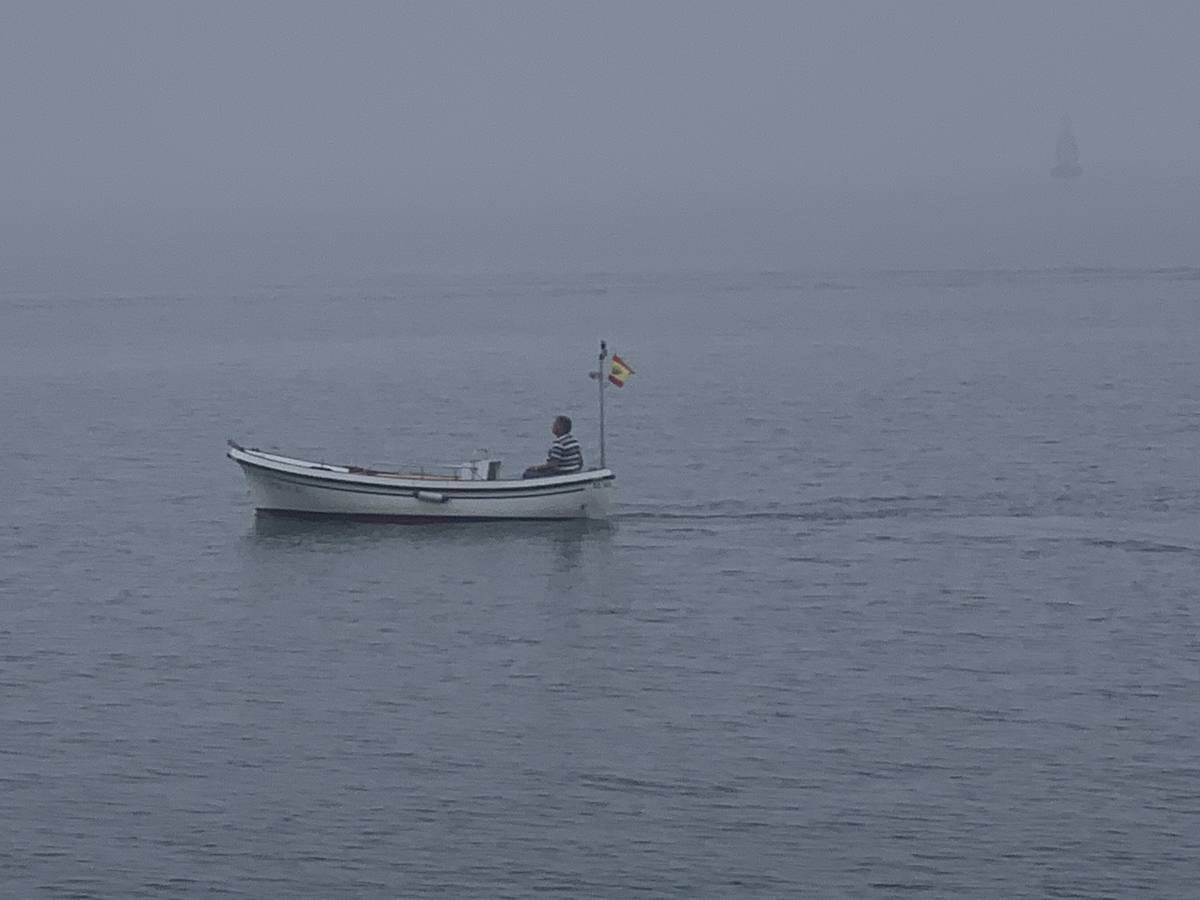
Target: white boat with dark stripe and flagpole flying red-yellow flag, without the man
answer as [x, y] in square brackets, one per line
[466, 491]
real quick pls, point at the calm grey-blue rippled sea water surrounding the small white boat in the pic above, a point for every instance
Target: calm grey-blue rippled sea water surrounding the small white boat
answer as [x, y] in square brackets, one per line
[899, 596]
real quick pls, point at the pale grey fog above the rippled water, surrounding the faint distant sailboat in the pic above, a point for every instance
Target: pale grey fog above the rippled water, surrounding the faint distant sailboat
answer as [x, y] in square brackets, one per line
[170, 145]
